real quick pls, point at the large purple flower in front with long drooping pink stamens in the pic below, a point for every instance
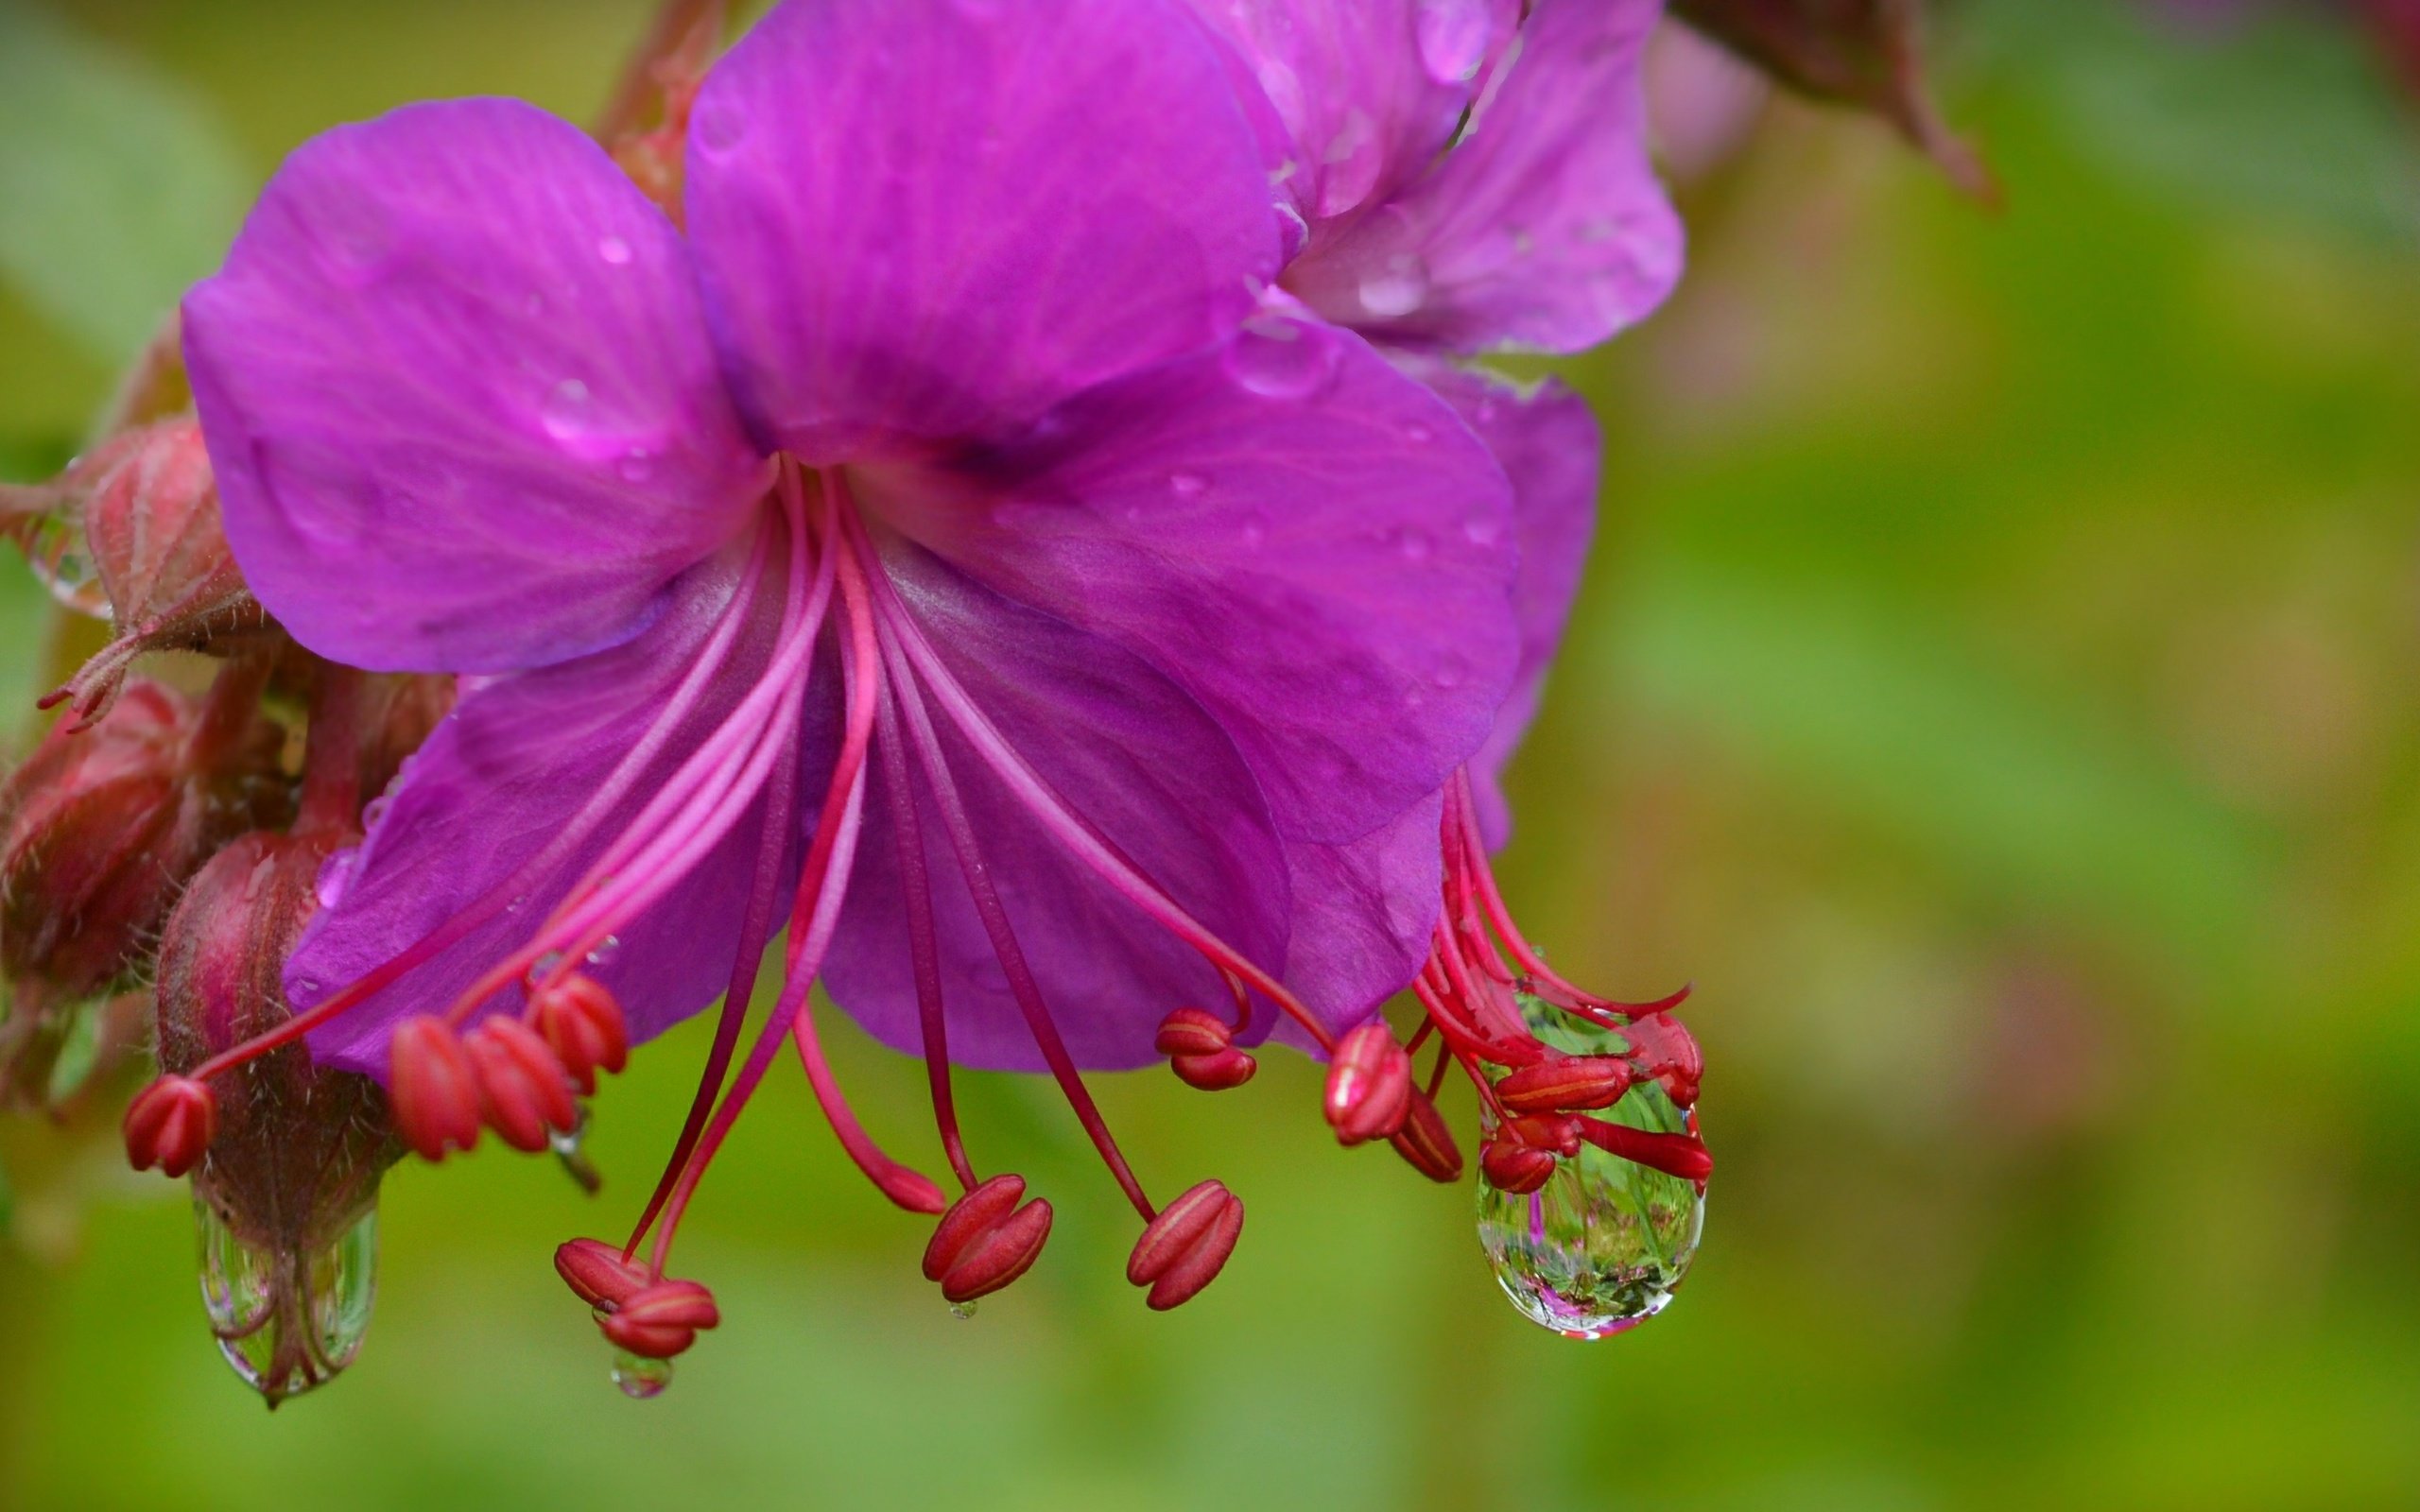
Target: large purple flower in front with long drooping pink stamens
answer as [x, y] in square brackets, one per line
[945, 546]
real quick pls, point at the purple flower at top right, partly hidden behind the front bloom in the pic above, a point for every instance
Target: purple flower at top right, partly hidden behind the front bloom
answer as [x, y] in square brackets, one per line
[1456, 180]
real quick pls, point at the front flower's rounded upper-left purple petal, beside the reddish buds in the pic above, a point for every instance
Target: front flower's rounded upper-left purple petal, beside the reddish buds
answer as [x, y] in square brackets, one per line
[461, 398]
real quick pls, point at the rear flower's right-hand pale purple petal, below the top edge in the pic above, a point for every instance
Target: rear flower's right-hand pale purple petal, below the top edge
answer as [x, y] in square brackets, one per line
[1545, 229]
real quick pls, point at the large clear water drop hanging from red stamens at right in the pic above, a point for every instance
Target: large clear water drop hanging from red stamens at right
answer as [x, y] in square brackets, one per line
[1606, 1242]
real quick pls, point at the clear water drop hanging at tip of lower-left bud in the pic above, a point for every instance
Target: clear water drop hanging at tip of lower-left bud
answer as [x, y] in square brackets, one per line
[287, 1320]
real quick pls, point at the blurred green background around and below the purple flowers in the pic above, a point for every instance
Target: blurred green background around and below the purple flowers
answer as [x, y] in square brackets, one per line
[1995, 691]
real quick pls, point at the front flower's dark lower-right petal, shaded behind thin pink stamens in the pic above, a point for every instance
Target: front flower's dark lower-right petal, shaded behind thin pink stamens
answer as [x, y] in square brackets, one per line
[1141, 763]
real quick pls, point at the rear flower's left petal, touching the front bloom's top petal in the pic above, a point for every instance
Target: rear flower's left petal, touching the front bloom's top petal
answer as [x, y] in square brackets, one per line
[1369, 91]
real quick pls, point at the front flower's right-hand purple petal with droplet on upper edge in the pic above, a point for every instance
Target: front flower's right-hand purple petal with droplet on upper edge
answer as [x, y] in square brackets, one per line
[1303, 538]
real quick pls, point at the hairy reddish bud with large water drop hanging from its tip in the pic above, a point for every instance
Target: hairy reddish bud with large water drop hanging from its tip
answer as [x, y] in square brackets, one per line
[289, 1189]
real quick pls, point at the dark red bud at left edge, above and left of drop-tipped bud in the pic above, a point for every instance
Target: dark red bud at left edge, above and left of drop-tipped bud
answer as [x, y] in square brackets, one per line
[100, 829]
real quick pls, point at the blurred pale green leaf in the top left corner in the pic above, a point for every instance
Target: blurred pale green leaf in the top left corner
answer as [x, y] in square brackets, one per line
[120, 187]
